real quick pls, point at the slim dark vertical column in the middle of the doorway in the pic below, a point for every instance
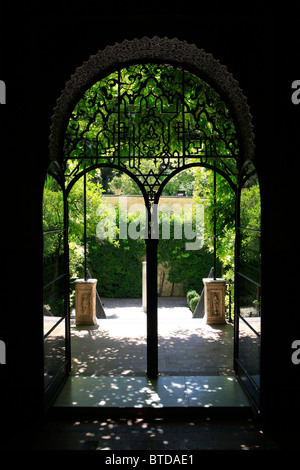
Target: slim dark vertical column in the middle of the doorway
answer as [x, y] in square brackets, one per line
[152, 338]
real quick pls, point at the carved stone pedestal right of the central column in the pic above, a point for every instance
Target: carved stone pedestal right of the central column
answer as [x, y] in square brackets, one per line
[214, 300]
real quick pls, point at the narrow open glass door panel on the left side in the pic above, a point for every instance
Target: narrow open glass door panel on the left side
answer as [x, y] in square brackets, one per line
[55, 278]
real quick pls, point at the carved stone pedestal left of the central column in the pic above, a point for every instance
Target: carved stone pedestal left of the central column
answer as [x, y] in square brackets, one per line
[85, 302]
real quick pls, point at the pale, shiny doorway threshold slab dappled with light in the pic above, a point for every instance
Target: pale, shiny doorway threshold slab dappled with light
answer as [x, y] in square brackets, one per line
[173, 393]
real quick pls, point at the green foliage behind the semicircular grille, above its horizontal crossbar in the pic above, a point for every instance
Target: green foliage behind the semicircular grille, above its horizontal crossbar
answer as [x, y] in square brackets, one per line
[144, 110]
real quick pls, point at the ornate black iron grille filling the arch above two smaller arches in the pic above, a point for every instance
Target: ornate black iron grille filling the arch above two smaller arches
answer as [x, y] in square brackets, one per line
[151, 111]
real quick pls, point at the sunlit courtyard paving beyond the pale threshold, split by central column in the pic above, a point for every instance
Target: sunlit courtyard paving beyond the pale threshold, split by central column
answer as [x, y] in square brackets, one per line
[117, 345]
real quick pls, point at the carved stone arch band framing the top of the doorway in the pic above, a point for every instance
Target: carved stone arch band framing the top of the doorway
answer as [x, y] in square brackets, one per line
[161, 50]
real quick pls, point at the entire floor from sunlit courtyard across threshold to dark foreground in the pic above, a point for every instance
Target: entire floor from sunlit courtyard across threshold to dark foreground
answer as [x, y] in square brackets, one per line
[109, 365]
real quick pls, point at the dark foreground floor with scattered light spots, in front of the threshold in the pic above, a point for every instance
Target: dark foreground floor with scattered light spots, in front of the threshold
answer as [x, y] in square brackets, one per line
[159, 434]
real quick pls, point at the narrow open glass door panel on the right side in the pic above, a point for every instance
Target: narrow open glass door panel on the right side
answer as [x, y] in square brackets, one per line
[248, 286]
